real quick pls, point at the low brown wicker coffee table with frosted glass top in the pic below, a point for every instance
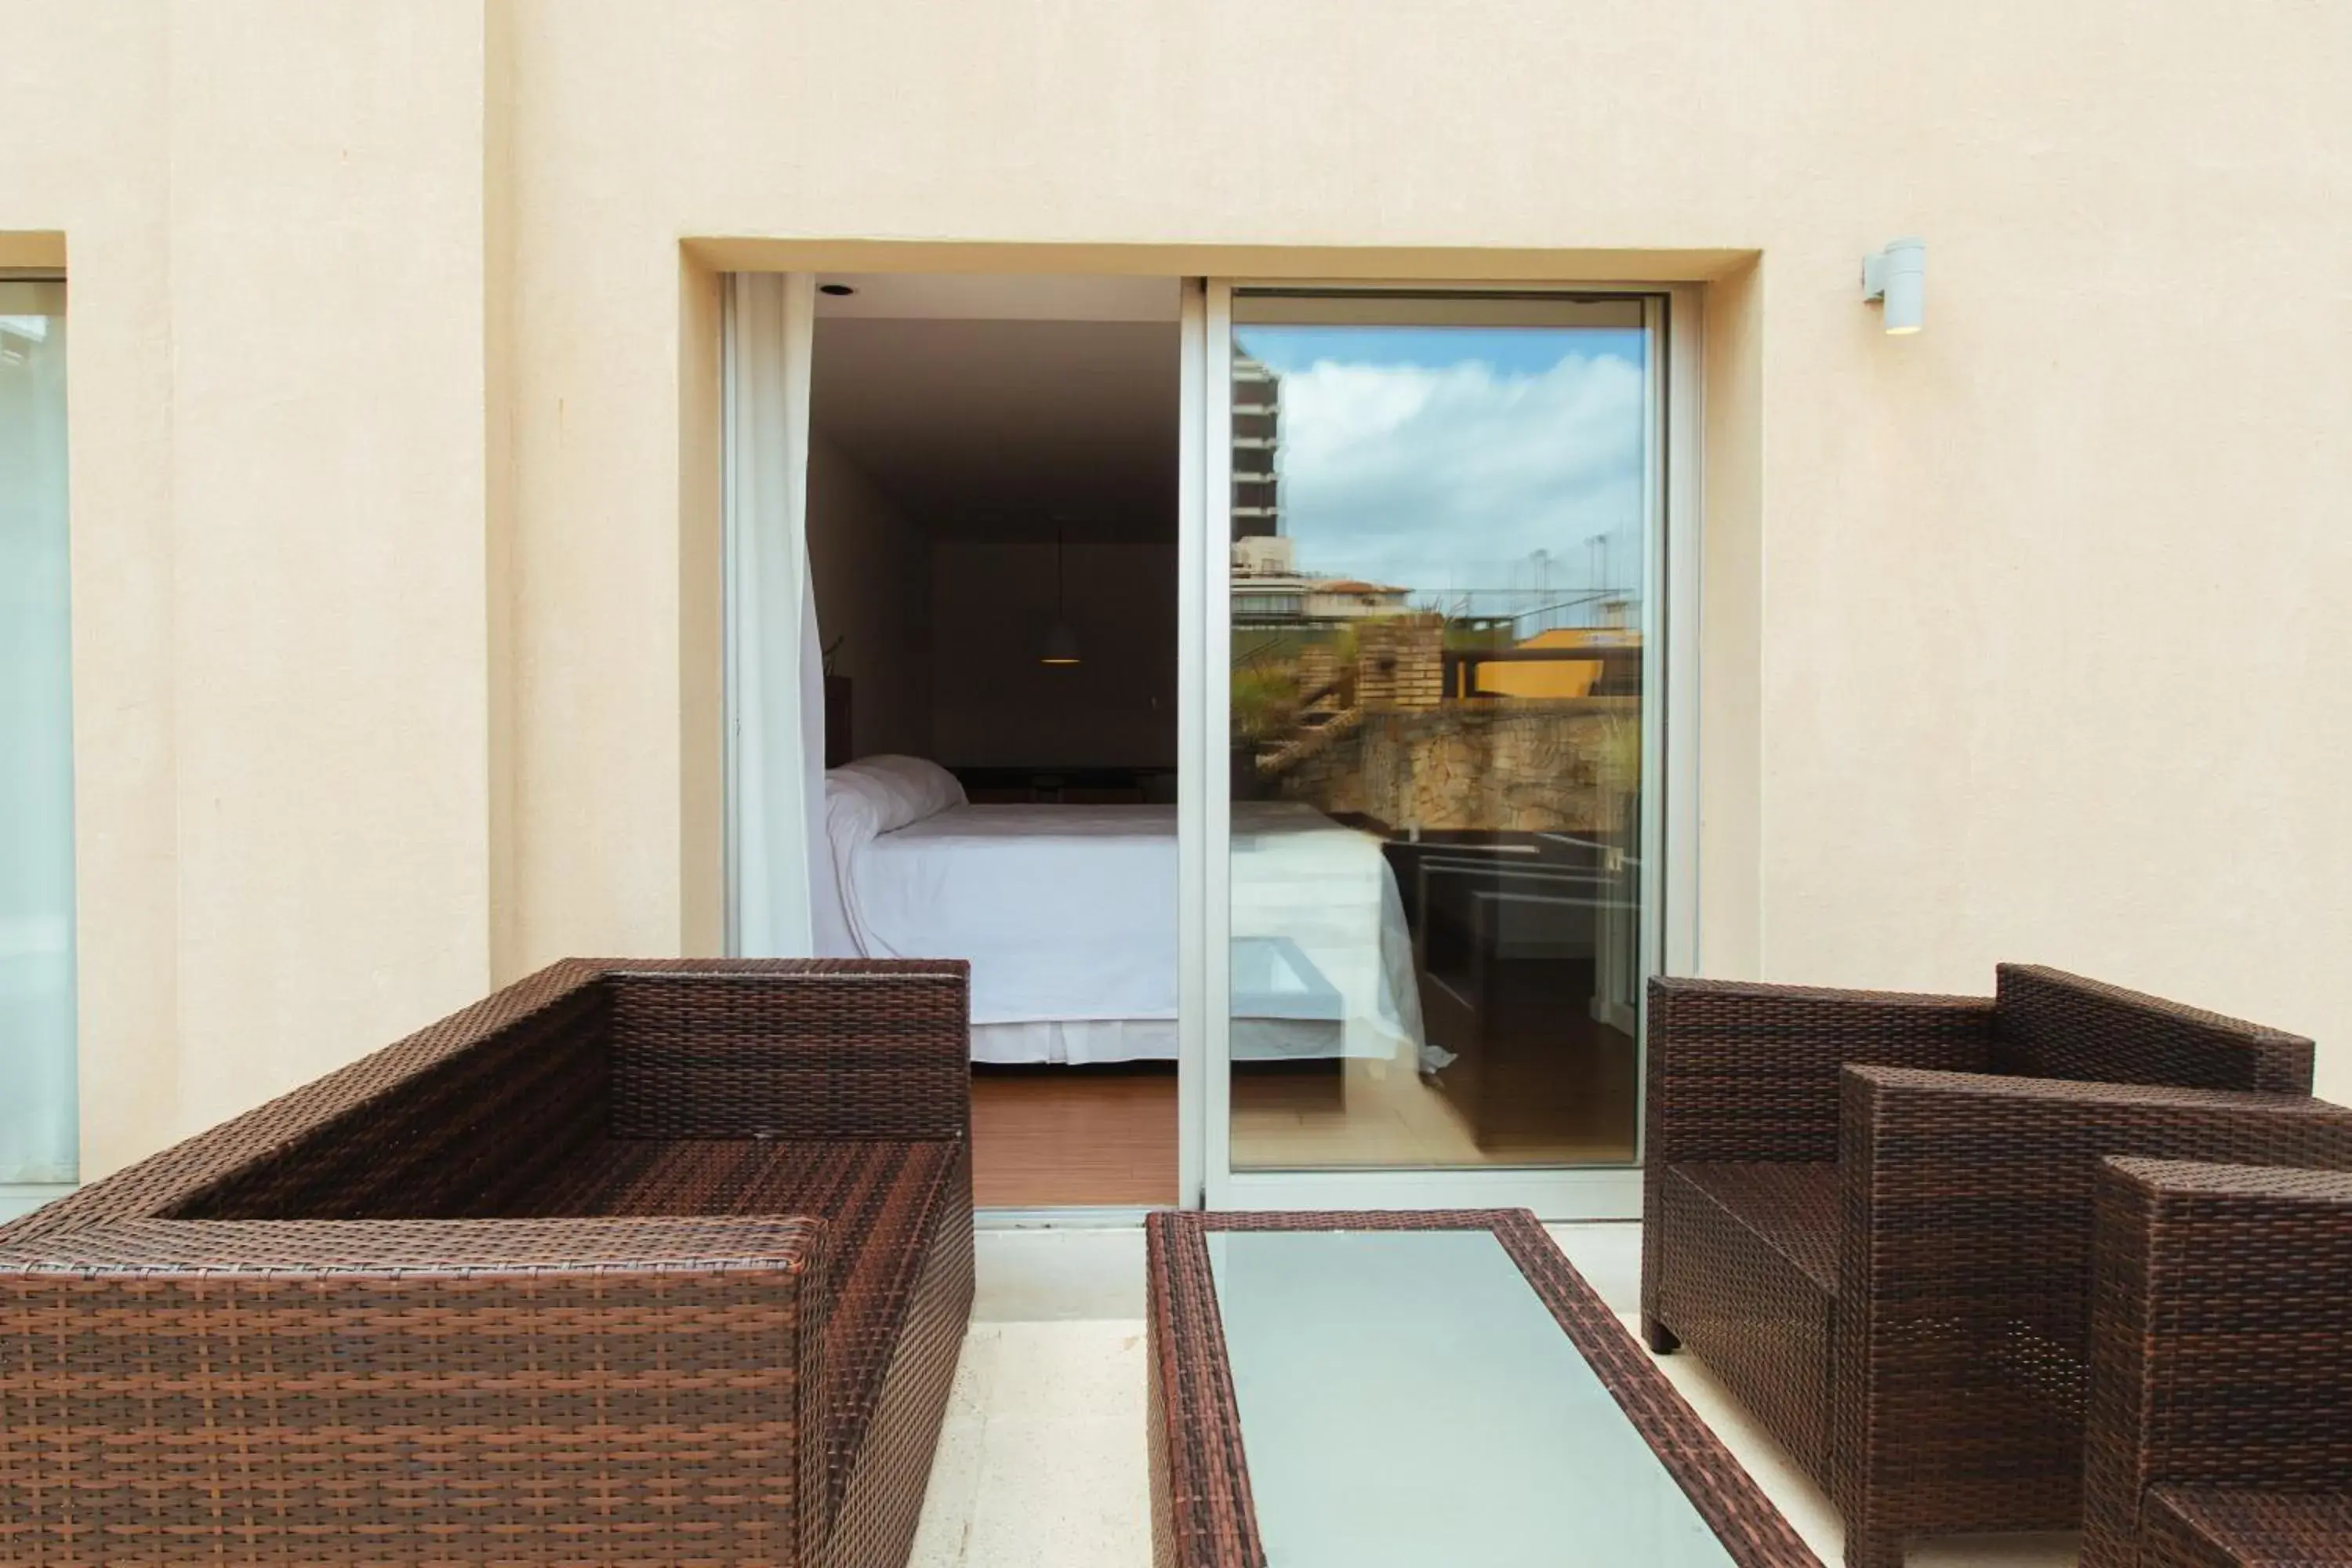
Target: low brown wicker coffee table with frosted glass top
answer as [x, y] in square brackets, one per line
[1419, 1388]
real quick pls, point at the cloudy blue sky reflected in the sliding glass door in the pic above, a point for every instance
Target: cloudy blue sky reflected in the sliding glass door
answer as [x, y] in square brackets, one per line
[1450, 478]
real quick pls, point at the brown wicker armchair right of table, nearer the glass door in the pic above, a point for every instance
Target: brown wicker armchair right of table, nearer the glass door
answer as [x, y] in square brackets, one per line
[1871, 1217]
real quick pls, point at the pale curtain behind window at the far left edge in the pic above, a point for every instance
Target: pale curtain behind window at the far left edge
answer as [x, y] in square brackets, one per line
[36, 749]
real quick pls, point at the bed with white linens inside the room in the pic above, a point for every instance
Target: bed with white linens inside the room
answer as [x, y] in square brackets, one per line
[1069, 918]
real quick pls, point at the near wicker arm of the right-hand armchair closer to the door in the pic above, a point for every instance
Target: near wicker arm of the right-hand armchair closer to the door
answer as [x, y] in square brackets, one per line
[1963, 1329]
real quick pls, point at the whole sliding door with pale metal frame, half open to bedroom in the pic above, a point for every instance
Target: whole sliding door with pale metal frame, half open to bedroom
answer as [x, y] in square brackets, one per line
[1267, 690]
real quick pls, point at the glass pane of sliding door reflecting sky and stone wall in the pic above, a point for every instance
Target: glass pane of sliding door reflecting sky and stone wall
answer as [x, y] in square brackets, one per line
[1443, 554]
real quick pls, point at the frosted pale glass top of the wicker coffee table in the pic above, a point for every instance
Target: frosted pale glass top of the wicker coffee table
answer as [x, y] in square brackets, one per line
[1408, 1400]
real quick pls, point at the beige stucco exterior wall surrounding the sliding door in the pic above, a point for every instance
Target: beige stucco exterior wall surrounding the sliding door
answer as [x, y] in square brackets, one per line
[396, 483]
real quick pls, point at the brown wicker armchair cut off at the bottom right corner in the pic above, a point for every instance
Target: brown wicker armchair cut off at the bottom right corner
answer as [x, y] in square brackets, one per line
[2221, 1369]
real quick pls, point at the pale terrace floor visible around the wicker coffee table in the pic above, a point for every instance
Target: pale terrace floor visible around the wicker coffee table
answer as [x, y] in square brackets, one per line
[1041, 1463]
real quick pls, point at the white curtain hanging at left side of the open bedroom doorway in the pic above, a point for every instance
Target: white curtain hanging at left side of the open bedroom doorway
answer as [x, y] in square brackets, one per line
[775, 664]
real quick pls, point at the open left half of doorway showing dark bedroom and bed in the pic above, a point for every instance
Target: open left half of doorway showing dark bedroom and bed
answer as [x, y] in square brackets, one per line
[991, 518]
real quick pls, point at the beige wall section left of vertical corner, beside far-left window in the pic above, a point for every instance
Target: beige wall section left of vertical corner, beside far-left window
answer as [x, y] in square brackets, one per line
[274, 234]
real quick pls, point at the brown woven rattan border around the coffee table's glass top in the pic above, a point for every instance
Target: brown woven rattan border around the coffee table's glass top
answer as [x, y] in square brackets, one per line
[1201, 1477]
